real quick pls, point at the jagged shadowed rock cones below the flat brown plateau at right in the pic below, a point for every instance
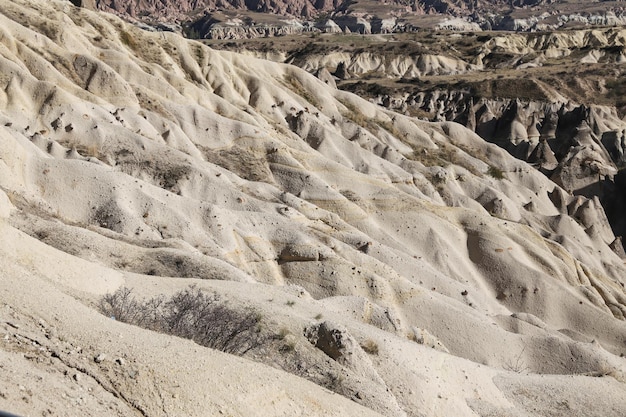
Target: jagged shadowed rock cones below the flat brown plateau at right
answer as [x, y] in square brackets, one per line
[585, 142]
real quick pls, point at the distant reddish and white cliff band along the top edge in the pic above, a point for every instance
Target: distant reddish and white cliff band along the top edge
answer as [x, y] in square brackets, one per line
[364, 16]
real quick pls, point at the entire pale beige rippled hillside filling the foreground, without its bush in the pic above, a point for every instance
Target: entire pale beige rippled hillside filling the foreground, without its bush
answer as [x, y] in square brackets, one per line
[142, 159]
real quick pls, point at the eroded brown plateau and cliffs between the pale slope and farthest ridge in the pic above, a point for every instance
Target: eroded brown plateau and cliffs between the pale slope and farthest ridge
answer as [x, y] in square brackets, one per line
[553, 99]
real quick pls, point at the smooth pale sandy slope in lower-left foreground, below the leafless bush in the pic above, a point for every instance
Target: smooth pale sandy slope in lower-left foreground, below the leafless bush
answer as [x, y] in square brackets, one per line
[132, 374]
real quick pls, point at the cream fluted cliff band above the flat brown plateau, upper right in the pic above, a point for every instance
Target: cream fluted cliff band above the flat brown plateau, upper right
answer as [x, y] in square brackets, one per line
[595, 43]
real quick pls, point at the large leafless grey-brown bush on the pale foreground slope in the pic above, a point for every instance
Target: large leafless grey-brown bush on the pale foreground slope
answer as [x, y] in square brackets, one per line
[191, 314]
